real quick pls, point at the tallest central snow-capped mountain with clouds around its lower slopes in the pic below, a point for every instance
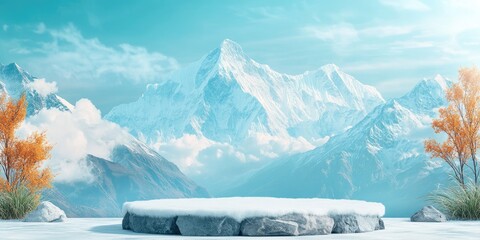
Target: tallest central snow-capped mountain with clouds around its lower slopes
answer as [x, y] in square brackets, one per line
[227, 109]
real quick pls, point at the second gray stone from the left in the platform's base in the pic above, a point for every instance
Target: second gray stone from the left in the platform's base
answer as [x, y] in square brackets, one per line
[208, 226]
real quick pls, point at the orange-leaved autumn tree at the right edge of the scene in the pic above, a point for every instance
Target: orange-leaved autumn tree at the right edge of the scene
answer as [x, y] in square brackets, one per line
[460, 121]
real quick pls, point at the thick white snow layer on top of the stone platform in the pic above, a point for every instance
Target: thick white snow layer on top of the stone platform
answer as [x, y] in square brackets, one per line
[240, 208]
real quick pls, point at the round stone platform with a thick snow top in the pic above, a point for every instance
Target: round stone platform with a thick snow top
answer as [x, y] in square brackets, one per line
[252, 216]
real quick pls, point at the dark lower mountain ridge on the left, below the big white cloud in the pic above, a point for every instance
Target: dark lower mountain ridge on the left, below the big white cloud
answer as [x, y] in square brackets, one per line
[136, 172]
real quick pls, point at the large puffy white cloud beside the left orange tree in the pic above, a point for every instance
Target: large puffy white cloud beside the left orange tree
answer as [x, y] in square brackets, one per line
[74, 135]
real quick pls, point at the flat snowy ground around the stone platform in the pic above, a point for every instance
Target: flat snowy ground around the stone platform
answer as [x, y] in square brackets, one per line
[110, 228]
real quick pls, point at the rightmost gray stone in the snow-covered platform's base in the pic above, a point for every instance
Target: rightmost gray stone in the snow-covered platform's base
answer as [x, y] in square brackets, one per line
[357, 224]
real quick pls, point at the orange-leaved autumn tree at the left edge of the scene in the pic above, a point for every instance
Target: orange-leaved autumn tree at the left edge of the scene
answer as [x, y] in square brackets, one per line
[21, 159]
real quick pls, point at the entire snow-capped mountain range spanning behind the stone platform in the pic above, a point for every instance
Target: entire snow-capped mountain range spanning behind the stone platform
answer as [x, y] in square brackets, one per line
[239, 128]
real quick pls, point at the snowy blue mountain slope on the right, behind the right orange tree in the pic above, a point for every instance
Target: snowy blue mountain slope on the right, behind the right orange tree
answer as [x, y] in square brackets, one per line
[379, 159]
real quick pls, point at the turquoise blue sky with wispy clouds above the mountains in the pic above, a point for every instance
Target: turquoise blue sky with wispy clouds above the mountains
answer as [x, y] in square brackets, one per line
[108, 51]
